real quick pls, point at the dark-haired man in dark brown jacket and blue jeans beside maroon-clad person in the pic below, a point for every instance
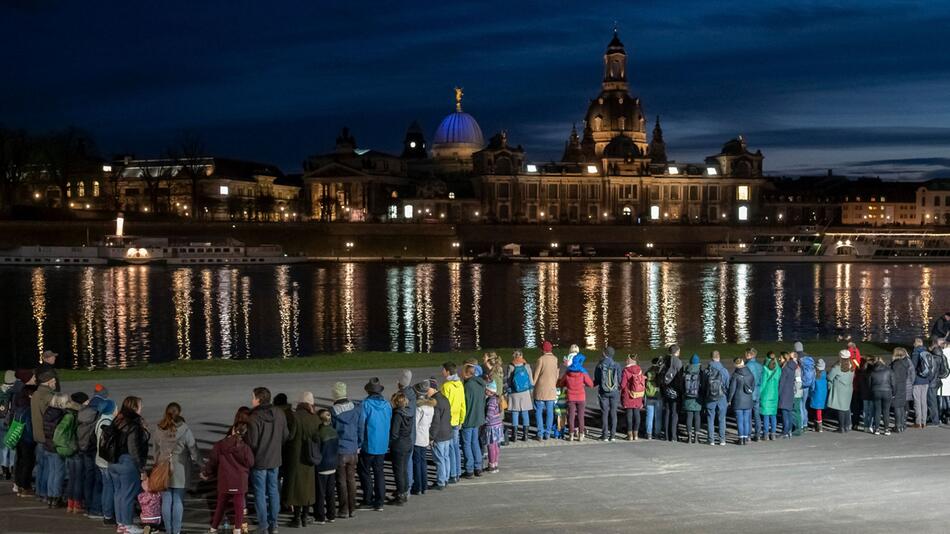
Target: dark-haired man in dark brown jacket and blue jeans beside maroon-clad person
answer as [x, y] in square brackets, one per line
[266, 434]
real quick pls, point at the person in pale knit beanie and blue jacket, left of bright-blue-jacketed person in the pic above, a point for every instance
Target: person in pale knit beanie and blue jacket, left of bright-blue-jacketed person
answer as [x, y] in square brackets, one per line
[347, 420]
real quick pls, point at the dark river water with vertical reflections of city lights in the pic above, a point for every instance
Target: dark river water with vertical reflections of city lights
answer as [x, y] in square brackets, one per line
[114, 316]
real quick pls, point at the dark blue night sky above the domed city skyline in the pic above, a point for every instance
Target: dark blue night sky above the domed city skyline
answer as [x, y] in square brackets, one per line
[859, 86]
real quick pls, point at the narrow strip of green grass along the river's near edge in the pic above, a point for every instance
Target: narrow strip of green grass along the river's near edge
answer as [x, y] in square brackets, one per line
[397, 360]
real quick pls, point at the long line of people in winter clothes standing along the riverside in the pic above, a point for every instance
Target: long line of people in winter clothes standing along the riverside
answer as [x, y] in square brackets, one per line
[91, 455]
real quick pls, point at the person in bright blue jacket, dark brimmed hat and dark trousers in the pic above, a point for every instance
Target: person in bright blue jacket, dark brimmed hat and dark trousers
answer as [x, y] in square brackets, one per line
[374, 437]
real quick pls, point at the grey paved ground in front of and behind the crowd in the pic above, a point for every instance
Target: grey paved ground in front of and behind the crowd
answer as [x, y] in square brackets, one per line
[815, 483]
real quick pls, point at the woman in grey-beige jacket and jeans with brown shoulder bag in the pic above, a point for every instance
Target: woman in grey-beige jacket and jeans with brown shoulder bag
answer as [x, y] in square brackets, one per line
[175, 444]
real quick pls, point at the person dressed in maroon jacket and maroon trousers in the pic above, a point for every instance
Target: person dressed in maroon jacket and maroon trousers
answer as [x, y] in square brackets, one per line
[230, 461]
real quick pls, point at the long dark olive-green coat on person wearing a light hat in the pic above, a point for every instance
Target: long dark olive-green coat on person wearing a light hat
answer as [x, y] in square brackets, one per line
[299, 477]
